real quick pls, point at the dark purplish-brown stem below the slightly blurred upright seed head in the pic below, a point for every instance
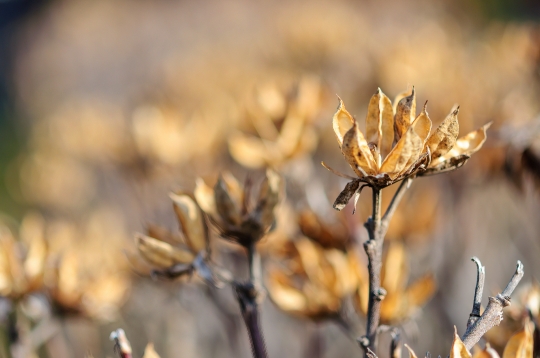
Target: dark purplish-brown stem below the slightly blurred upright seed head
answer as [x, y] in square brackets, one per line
[248, 295]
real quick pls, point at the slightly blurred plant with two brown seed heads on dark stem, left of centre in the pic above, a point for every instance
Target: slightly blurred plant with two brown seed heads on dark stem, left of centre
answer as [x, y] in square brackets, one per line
[240, 217]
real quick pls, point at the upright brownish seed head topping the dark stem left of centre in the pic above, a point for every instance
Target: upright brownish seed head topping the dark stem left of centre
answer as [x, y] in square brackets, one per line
[232, 211]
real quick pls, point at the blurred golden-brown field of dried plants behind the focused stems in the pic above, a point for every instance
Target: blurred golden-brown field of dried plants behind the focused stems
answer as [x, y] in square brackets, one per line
[107, 106]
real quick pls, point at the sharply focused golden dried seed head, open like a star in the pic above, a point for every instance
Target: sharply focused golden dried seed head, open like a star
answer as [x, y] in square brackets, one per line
[398, 143]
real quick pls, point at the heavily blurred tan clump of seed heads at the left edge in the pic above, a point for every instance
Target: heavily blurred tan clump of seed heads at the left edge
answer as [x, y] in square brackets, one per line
[47, 260]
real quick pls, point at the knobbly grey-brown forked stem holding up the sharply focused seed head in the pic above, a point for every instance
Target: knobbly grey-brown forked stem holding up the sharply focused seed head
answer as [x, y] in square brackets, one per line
[377, 228]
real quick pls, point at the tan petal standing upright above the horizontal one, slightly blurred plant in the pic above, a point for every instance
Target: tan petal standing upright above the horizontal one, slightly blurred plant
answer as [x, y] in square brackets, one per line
[192, 224]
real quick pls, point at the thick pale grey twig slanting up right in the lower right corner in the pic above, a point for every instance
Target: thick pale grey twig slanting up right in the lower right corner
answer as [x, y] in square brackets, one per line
[493, 314]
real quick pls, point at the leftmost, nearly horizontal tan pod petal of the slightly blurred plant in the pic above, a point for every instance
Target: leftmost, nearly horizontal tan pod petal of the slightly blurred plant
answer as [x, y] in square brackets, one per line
[161, 253]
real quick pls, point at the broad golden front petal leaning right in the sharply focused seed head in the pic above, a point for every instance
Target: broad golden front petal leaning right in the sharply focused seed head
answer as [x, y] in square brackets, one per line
[407, 149]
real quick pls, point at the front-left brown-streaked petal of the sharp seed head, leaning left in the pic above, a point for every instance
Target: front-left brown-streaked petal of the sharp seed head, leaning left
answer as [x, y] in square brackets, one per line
[357, 153]
